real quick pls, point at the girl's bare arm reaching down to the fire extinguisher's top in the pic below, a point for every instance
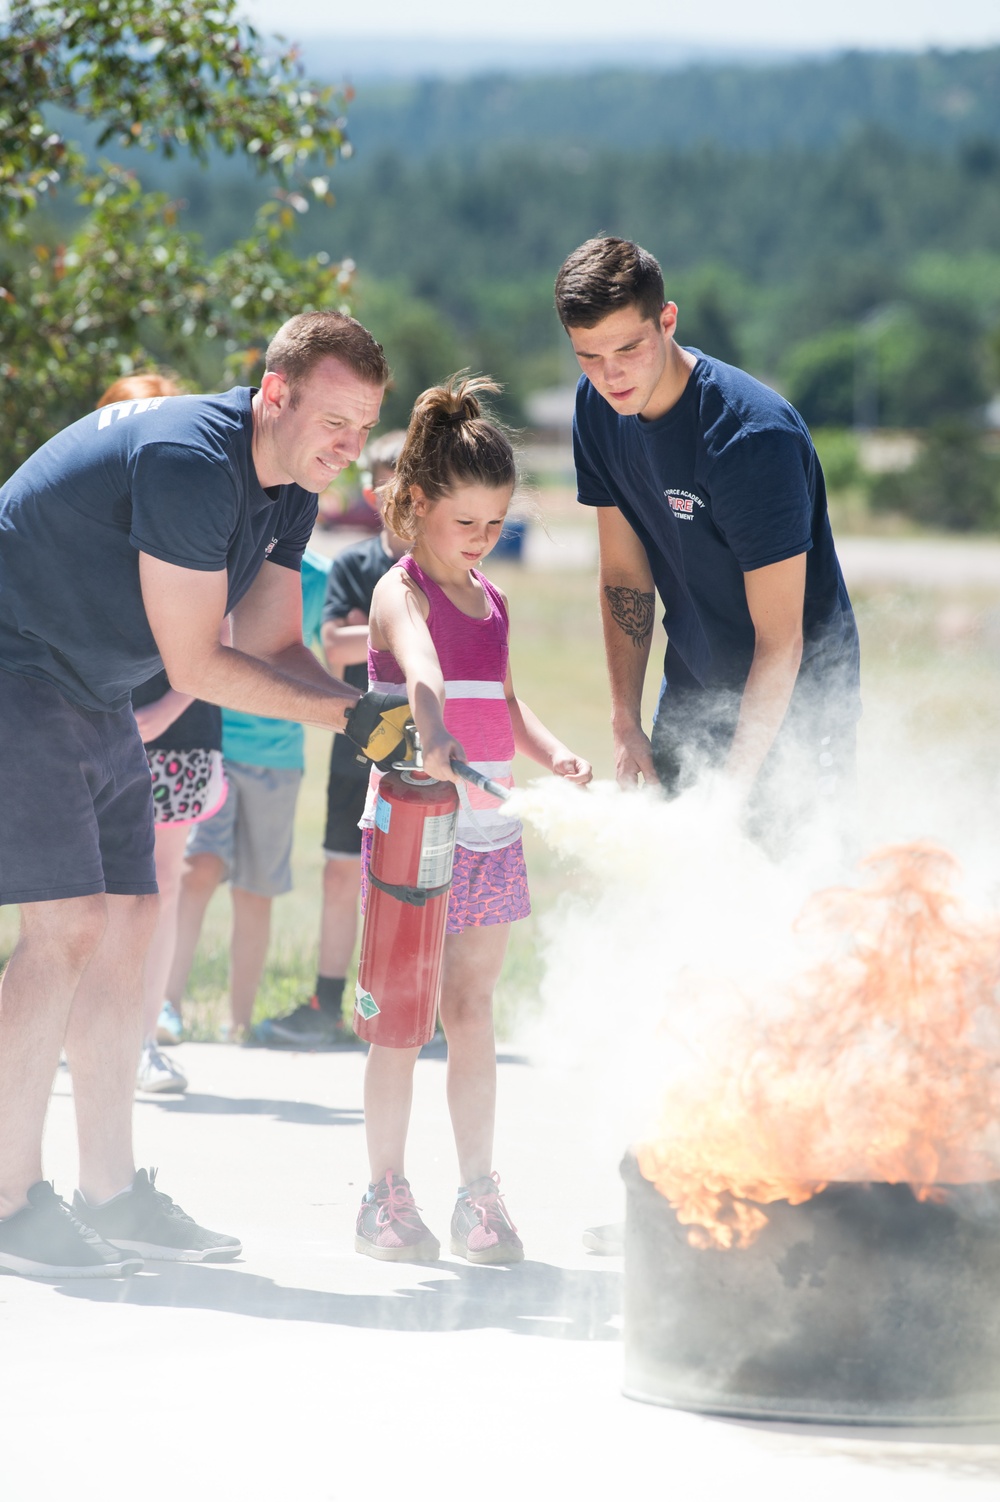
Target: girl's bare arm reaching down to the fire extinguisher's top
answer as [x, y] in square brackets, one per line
[399, 624]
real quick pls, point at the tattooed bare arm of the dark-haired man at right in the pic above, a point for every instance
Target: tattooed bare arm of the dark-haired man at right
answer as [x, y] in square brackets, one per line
[627, 614]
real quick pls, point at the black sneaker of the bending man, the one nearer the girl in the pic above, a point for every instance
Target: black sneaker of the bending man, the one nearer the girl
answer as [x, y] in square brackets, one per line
[148, 1222]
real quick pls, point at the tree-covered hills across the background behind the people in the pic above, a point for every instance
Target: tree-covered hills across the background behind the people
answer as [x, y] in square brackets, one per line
[834, 226]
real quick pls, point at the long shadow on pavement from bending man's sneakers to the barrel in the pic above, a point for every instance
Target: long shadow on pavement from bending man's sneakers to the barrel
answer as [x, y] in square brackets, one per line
[534, 1298]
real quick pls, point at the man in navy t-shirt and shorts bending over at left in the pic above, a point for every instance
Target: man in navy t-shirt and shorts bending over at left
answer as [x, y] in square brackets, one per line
[125, 543]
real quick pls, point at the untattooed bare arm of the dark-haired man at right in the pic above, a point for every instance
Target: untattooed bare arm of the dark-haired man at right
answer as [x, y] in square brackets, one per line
[776, 597]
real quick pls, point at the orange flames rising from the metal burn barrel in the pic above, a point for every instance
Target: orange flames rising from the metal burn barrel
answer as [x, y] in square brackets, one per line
[884, 1064]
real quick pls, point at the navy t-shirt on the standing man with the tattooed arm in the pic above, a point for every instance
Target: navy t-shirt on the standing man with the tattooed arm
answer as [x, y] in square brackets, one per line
[724, 483]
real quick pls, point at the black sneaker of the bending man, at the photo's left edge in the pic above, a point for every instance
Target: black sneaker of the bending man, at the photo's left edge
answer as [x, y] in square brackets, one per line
[47, 1241]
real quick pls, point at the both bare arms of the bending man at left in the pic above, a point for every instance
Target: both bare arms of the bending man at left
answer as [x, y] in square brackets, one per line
[268, 672]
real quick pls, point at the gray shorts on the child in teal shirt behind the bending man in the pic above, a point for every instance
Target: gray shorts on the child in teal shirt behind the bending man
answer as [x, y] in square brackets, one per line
[252, 834]
